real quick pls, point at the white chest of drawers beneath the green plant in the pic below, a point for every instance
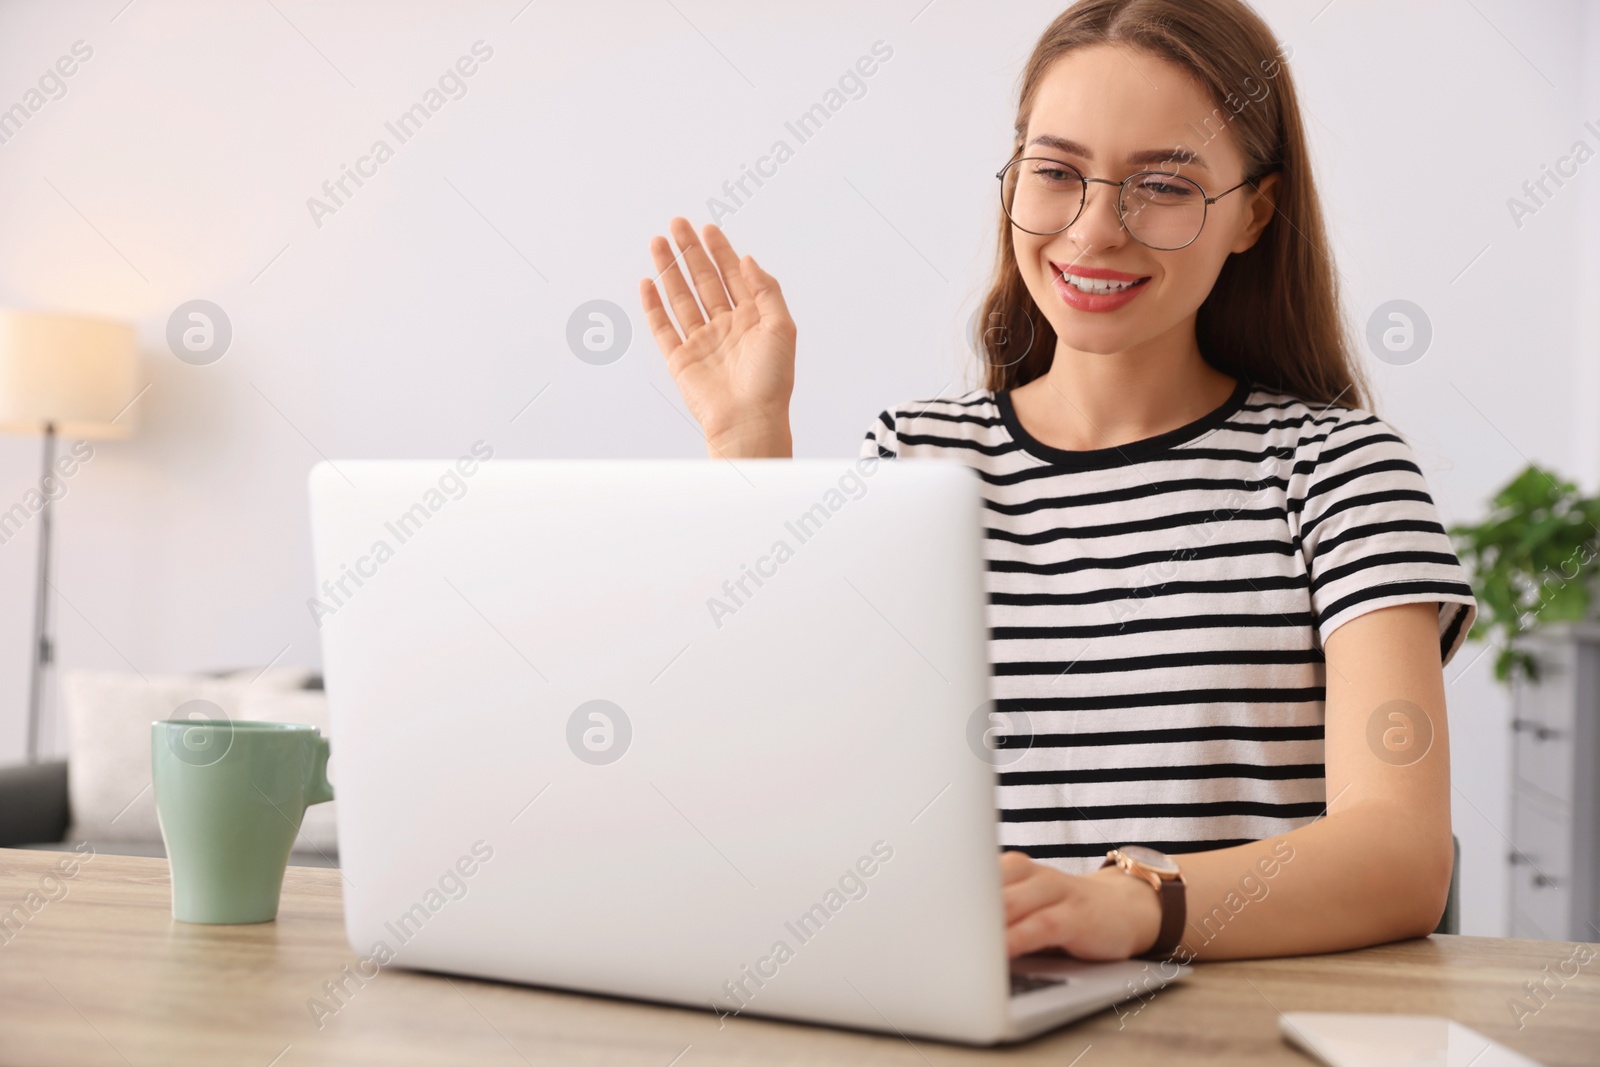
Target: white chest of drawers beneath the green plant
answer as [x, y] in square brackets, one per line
[1556, 799]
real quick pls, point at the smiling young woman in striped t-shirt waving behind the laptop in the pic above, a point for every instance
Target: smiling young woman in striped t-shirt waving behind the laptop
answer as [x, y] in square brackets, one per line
[1220, 593]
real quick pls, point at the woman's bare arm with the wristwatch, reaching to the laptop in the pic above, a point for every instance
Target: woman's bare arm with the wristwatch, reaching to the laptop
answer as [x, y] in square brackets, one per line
[1377, 868]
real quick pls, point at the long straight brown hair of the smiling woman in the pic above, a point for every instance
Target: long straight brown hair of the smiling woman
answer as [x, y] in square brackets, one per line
[1274, 313]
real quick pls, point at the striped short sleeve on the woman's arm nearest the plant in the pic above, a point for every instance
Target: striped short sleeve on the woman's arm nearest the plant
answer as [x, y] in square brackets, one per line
[1372, 537]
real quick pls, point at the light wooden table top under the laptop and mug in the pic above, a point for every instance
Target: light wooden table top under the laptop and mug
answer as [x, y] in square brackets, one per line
[103, 975]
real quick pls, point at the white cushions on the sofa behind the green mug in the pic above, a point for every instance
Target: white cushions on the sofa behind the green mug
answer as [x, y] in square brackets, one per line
[110, 717]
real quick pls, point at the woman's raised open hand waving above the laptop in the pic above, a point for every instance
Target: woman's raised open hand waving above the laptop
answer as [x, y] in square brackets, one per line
[734, 351]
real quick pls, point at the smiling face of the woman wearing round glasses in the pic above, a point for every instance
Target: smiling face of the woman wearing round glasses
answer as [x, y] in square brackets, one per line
[1111, 111]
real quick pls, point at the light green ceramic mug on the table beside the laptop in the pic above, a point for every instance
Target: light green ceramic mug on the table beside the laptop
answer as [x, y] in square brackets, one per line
[231, 797]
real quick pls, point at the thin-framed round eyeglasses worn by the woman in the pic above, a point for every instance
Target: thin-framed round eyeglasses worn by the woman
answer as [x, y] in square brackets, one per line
[1158, 209]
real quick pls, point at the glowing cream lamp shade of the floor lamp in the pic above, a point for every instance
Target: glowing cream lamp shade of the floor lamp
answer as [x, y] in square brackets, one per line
[66, 372]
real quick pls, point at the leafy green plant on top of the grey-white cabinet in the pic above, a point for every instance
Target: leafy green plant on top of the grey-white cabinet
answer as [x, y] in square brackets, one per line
[1532, 561]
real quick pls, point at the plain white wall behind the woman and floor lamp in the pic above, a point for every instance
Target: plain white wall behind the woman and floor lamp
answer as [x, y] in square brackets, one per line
[433, 306]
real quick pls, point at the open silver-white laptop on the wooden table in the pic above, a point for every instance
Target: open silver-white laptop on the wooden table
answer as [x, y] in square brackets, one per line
[703, 733]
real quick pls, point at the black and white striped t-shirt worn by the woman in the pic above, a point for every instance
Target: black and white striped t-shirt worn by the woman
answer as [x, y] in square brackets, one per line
[1159, 610]
